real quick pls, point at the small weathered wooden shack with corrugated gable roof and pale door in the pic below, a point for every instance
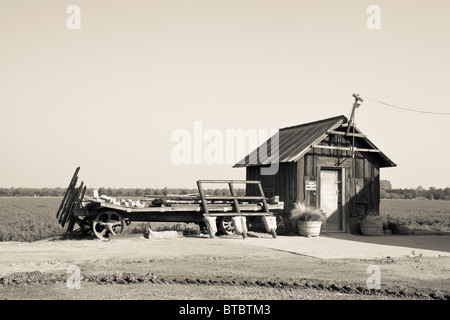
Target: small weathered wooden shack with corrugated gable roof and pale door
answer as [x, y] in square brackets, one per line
[328, 164]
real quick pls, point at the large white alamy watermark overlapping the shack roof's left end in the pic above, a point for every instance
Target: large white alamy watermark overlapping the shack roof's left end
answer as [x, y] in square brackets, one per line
[213, 146]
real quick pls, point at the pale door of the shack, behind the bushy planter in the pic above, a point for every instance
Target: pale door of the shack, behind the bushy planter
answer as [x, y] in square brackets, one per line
[330, 189]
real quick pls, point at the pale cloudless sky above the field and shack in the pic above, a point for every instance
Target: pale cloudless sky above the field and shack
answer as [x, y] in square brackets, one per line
[109, 96]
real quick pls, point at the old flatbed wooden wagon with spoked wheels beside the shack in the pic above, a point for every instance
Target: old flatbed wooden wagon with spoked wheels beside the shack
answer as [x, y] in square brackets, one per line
[105, 216]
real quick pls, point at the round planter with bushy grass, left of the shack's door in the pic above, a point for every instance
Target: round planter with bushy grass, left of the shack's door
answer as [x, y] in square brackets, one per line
[307, 219]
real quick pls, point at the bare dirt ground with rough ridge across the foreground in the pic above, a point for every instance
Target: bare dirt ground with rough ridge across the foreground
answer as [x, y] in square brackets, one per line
[131, 267]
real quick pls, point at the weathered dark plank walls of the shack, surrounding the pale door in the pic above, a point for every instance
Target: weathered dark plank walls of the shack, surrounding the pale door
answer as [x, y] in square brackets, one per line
[361, 179]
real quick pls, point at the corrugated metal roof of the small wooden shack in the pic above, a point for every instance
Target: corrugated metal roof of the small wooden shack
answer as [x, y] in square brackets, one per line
[295, 141]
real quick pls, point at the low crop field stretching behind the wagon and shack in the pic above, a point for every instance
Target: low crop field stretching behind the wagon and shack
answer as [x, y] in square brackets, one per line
[30, 219]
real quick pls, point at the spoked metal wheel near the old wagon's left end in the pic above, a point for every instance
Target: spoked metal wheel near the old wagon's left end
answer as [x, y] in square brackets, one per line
[107, 223]
